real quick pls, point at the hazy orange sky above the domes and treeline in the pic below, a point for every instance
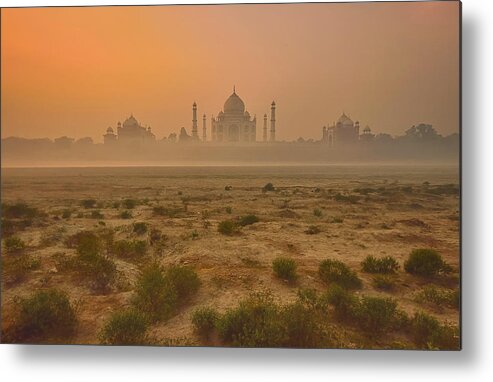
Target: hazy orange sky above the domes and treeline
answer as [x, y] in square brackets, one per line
[76, 71]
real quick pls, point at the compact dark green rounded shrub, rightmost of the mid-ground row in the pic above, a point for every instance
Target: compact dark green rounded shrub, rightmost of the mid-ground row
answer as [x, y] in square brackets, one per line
[426, 262]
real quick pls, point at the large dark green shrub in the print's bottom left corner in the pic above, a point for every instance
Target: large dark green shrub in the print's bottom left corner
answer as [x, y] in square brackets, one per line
[46, 315]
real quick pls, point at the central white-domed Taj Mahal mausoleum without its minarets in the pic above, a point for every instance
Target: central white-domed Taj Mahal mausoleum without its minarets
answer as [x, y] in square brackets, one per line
[234, 124]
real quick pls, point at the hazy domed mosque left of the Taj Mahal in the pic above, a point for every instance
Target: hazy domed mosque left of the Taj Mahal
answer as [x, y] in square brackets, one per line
[131, 132]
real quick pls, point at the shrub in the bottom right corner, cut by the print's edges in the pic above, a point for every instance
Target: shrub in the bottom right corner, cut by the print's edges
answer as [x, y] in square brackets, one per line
[429, 333]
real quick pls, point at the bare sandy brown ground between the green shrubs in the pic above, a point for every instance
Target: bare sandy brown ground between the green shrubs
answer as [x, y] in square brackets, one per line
[392, 221]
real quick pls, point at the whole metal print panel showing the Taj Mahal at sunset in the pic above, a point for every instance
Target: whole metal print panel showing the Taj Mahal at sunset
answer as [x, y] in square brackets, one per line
[269, 175]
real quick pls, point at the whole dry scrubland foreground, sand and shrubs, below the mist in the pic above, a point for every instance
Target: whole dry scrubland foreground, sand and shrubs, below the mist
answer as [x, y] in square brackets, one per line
[223, 226]
